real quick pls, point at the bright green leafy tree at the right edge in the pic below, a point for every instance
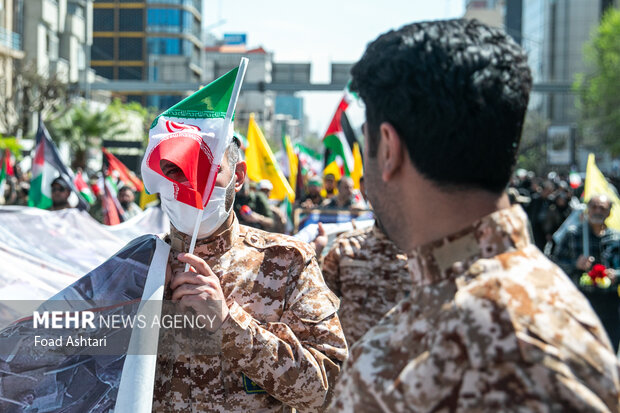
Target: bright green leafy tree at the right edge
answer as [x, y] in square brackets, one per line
[599, 88]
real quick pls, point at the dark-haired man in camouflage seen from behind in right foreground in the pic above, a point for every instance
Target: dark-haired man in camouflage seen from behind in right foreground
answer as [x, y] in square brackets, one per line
[491, 324]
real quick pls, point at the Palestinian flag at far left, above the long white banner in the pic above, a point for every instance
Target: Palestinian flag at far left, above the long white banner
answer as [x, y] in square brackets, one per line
[46, 167]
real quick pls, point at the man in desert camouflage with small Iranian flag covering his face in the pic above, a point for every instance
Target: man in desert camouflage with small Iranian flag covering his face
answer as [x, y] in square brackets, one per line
[281, 341]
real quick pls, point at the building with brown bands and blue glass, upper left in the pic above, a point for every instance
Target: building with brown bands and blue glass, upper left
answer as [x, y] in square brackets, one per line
[153, 40]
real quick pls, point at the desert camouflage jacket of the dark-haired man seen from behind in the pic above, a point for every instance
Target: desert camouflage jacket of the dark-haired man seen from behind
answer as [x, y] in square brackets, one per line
[491, 325]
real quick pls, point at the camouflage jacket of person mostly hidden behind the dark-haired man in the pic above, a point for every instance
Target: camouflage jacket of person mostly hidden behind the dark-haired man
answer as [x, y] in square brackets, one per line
[369, 275]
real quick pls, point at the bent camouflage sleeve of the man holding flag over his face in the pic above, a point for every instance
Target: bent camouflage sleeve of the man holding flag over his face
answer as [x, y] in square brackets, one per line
[297, 359]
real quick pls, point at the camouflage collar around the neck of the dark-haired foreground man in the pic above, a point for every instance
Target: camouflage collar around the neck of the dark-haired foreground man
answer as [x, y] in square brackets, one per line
[502, 231]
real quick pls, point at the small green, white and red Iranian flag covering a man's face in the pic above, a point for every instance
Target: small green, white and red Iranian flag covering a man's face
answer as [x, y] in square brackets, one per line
[192, 135]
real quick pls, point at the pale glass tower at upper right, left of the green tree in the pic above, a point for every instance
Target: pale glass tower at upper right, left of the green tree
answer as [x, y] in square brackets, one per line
[554, 35]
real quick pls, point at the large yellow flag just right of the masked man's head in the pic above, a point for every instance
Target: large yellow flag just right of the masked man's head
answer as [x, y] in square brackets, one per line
[262, 163]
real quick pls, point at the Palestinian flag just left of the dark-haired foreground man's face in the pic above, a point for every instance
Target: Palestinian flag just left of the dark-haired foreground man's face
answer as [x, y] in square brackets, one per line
[335, 140]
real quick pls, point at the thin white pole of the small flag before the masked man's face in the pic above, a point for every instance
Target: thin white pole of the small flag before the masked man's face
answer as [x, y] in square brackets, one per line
[220, 142]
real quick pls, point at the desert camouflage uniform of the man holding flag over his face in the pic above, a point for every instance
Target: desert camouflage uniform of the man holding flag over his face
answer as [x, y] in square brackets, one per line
[281, 345]
